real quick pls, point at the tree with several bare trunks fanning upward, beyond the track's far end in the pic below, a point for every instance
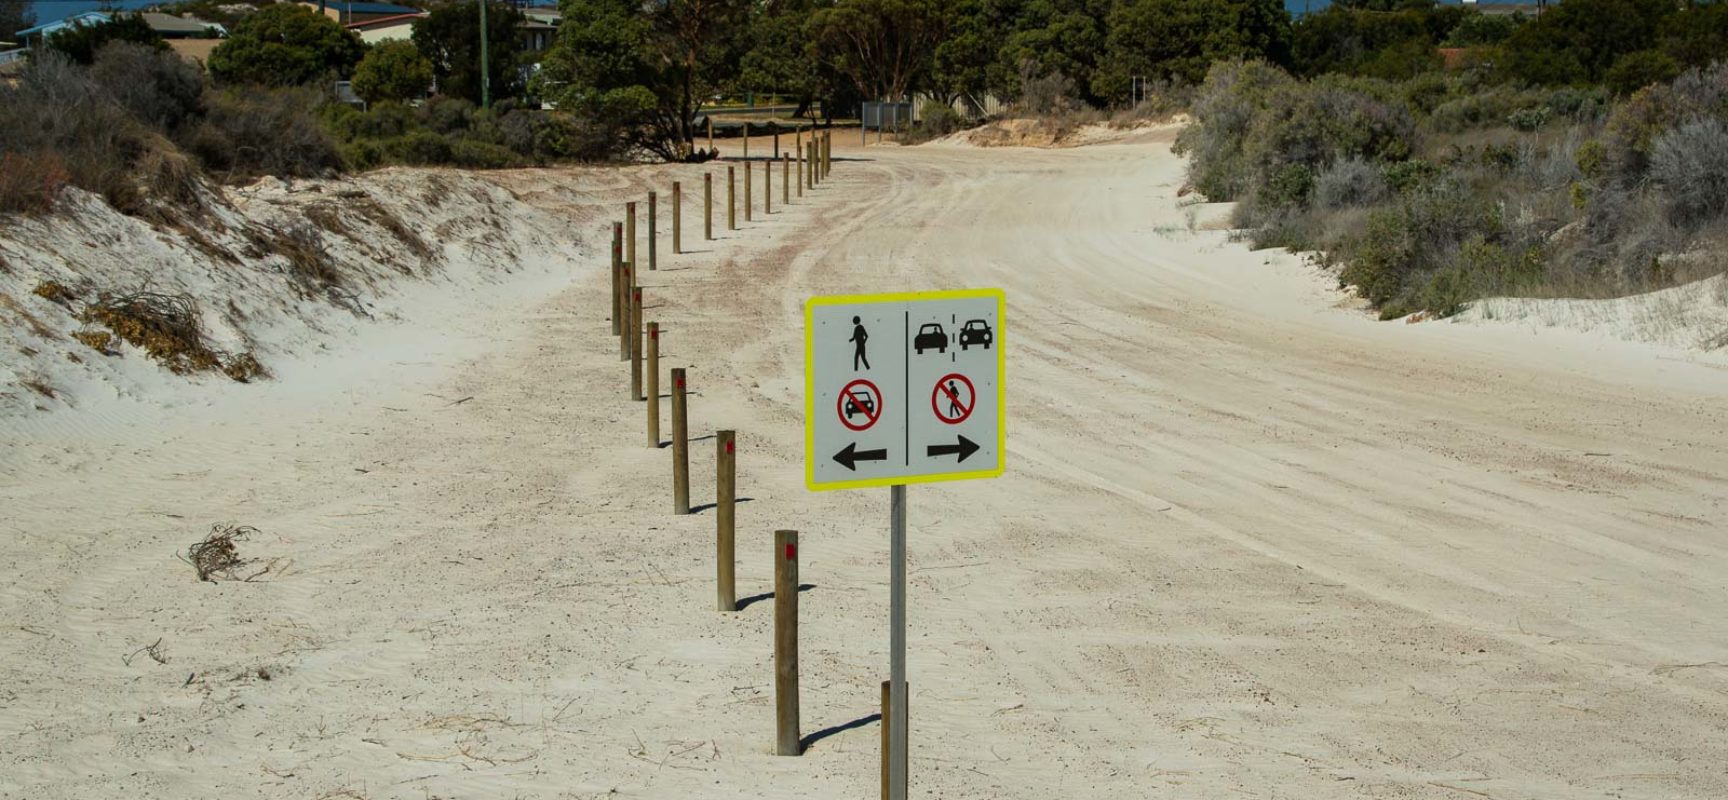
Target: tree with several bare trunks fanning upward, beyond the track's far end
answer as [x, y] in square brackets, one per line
[884, 46]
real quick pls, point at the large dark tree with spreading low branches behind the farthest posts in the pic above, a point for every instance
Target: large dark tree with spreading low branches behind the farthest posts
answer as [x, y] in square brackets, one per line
[644, 68]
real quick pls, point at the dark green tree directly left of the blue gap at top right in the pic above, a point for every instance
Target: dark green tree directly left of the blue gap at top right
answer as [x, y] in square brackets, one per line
[1181, 39]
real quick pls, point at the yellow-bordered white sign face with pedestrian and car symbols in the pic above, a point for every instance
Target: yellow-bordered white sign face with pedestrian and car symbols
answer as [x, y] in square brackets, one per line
[903, 388]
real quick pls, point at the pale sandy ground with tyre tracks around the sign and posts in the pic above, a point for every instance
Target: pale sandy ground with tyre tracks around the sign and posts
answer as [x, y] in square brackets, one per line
[1250, 542]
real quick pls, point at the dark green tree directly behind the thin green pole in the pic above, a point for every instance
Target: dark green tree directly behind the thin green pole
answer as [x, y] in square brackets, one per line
[450, 39]
